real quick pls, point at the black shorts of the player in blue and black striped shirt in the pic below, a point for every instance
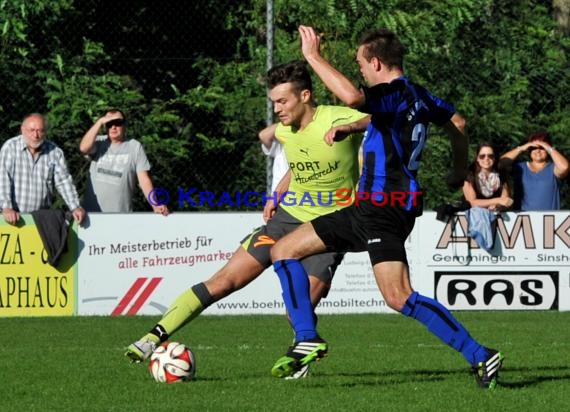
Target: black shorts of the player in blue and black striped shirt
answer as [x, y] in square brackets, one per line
[380, 230]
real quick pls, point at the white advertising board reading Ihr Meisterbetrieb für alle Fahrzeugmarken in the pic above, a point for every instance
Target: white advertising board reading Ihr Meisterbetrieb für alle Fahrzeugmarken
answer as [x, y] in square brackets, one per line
[139, 263]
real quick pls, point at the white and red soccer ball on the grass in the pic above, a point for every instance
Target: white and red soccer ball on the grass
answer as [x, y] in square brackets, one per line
[172, 362]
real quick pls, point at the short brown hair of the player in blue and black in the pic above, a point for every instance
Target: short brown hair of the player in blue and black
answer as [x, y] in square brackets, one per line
[384, 45]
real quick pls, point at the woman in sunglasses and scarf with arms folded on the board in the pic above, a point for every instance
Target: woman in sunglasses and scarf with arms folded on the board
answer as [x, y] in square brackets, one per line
[484, 186]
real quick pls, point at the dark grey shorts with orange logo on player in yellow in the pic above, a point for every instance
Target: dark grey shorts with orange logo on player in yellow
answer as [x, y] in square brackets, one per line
[258, 244]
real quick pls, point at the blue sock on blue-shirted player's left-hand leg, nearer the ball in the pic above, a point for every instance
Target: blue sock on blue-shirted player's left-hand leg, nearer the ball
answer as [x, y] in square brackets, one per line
[296, 295]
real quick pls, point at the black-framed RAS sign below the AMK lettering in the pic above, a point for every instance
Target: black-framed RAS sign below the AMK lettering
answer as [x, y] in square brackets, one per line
[497, 290]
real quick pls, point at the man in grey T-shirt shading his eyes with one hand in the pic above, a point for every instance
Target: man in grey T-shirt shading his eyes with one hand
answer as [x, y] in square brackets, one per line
[117, 164]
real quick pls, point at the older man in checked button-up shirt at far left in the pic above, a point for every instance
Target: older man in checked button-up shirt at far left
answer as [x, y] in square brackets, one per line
[30, 168]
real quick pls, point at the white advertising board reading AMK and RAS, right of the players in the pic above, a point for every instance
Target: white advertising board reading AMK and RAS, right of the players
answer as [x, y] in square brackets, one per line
[528, 268]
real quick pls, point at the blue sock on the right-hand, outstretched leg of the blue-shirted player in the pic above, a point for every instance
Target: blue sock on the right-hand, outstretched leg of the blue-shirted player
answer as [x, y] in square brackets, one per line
[442, 324]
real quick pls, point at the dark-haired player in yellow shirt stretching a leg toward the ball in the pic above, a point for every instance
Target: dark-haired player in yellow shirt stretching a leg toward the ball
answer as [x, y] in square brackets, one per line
[316, 173]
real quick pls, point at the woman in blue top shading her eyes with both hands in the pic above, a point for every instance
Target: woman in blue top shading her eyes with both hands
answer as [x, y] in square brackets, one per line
[537, 182]
